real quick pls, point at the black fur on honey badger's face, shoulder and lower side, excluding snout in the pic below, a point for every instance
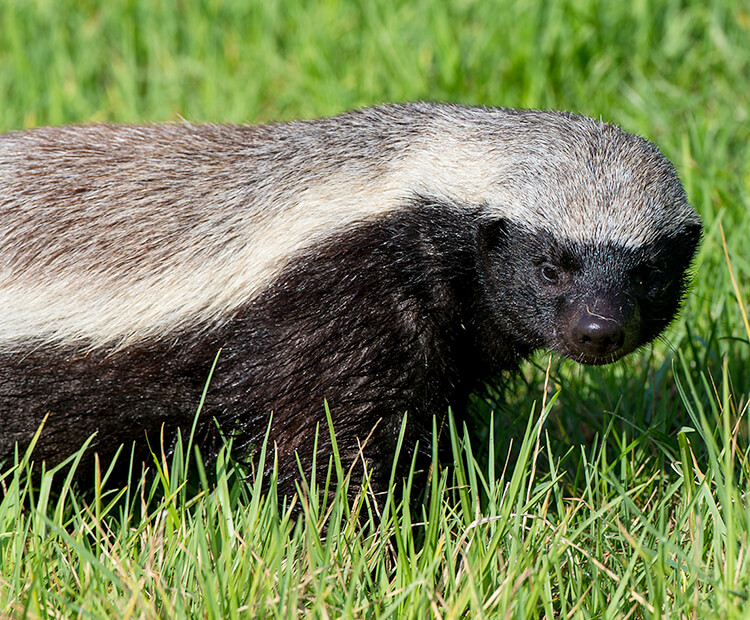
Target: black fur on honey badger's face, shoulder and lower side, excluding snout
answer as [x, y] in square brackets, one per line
[405, 314]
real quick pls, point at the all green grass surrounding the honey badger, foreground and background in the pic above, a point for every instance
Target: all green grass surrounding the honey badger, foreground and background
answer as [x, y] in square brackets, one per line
[625, 493]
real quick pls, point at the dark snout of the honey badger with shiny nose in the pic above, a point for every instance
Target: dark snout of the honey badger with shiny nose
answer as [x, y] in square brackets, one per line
[600, 329]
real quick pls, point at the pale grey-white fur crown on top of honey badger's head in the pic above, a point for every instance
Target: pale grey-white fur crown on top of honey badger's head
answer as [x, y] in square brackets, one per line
[580, 179]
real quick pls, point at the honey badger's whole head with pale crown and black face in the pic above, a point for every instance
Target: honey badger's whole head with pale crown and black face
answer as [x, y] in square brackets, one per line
[584, 236]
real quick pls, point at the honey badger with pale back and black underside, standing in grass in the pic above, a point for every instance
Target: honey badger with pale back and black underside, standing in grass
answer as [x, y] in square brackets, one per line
[386, 260]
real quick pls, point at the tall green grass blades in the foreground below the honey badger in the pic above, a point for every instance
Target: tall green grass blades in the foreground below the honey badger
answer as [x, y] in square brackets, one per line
[609, 538]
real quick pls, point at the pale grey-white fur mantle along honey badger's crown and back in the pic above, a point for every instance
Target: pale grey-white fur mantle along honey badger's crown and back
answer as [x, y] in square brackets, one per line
[115, 234]
